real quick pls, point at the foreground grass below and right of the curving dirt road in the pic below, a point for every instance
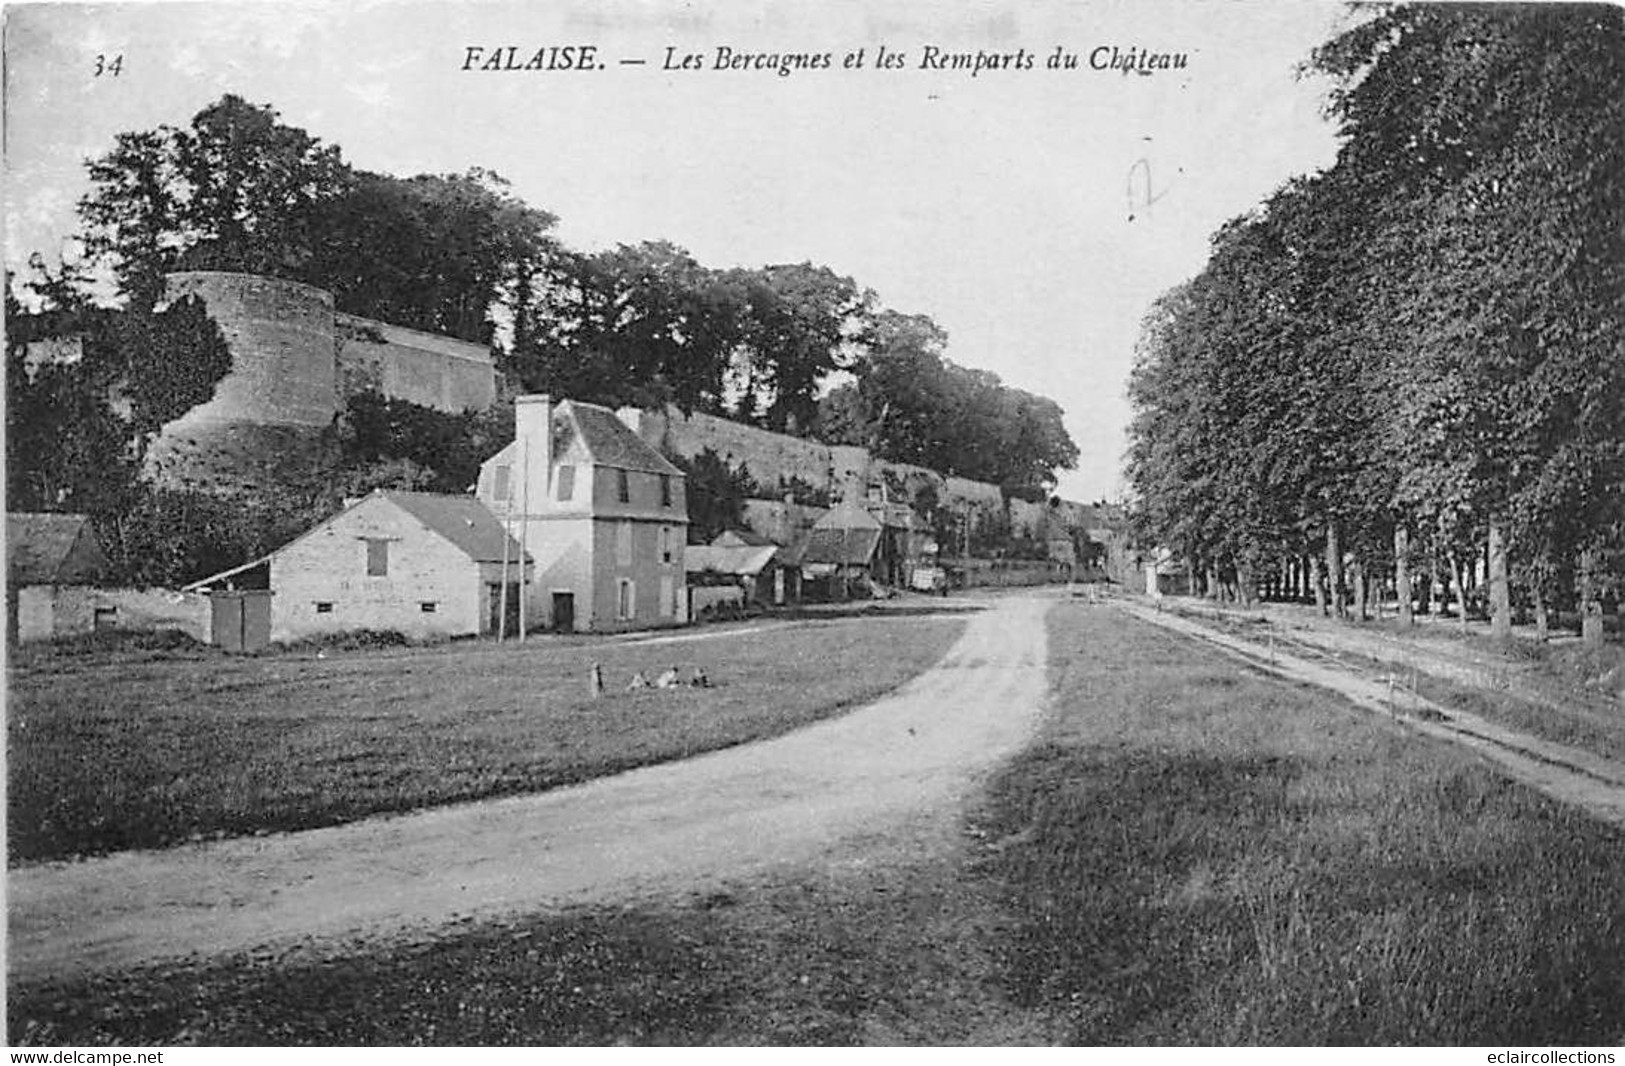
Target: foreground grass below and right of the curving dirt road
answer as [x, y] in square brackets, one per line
[1189, 856]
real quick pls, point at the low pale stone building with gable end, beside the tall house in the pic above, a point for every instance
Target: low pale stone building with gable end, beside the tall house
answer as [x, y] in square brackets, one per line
[414, 563]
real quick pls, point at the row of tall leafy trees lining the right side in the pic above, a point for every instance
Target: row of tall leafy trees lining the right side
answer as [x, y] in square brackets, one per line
[1415, 362]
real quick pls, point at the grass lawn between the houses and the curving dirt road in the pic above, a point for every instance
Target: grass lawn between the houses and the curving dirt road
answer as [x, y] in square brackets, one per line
[144, 755]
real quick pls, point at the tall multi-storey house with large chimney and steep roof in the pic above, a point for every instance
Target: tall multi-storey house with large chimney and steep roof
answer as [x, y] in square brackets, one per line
[604, 514]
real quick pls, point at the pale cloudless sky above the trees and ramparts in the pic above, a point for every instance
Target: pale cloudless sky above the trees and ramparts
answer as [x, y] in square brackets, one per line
[1034, 214]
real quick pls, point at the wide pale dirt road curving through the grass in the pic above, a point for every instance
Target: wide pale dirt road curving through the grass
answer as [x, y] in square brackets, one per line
[893, 766]
